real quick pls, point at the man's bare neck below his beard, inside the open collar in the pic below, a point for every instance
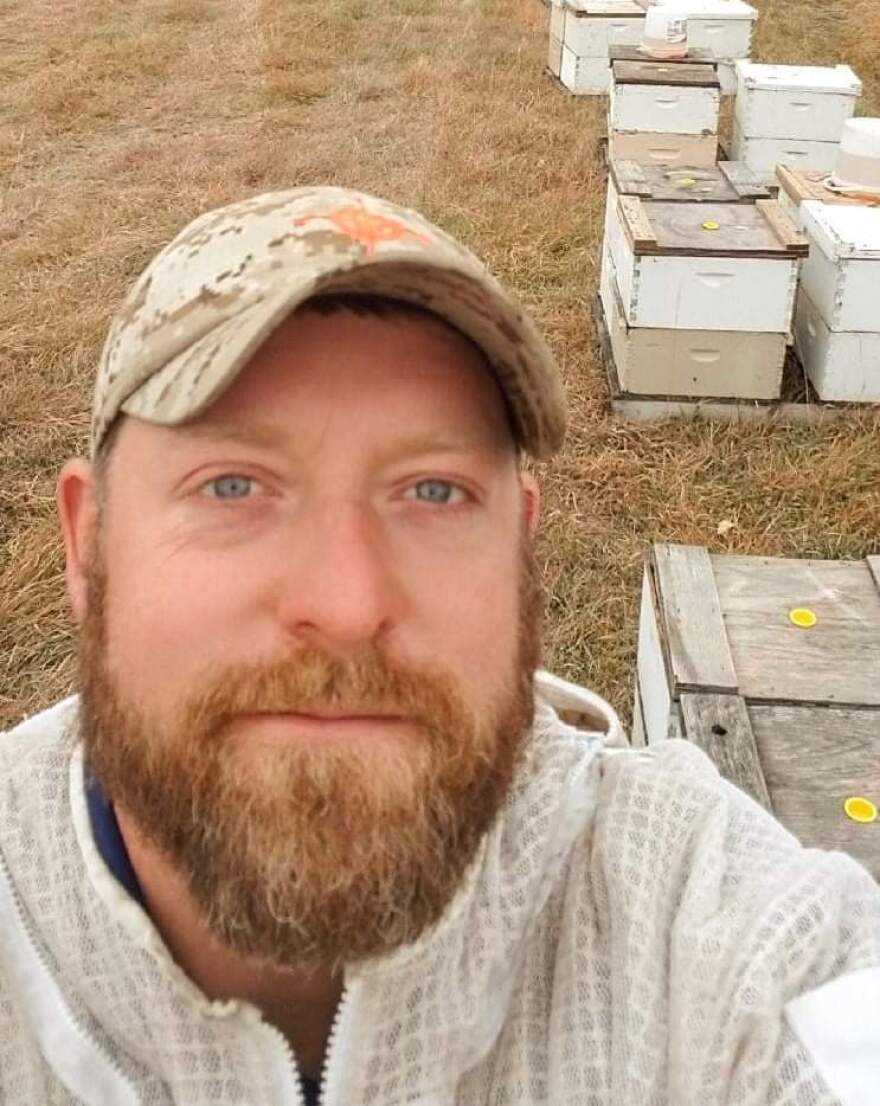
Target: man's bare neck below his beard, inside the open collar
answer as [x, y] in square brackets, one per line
[299, 1003]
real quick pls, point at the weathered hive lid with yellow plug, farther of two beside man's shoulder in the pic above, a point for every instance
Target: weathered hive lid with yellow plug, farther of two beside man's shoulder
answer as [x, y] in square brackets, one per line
[728, 628]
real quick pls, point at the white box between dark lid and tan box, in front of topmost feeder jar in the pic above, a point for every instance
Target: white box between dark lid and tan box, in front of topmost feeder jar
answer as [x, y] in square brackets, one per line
[662, 109]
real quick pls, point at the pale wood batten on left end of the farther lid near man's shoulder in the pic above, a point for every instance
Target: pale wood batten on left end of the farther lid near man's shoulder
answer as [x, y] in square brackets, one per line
[692, 620]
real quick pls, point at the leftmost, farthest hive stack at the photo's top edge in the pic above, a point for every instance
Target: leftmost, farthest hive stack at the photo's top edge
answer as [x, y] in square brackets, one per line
[581, 35]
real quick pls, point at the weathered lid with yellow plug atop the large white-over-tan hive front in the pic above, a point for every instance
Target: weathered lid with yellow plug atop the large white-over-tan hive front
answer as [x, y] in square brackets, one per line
[697, 229]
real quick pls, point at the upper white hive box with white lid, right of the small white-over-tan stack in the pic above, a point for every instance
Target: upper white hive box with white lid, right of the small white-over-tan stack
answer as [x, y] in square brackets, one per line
[788, 102]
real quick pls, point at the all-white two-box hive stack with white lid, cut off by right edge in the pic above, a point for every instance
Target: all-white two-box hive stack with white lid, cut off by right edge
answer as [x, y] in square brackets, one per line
[837, 318]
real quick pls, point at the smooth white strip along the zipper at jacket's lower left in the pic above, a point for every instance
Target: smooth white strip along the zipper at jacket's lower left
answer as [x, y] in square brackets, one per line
[100, 1083]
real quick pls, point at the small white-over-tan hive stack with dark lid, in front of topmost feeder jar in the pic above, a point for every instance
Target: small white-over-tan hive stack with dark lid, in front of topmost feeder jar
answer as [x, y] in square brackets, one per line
[664, 113]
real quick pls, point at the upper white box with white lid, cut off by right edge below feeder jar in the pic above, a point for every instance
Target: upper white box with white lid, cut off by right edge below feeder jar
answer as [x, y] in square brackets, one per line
[842, 276]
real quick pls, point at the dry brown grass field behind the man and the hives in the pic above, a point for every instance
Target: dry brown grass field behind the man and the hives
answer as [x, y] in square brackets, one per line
[121, 122]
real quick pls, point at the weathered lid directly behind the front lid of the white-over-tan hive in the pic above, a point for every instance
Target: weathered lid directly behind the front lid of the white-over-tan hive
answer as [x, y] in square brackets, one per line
[725, 183]
